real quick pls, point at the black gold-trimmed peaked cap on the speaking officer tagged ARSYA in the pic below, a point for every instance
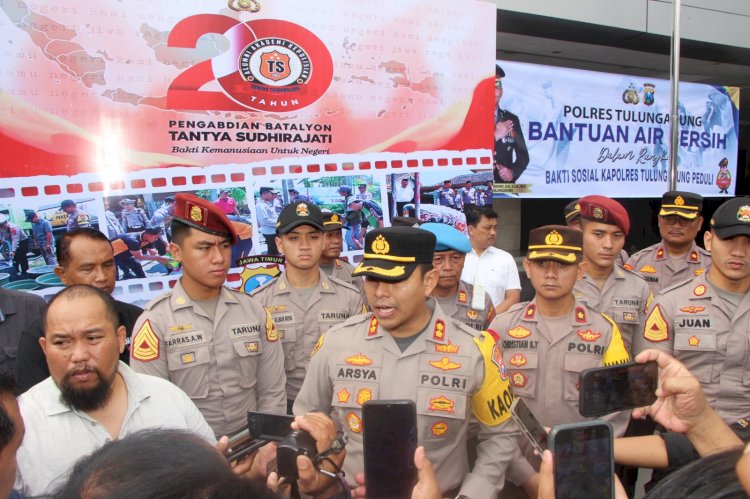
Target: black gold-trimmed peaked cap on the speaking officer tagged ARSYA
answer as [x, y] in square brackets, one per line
[392, 254]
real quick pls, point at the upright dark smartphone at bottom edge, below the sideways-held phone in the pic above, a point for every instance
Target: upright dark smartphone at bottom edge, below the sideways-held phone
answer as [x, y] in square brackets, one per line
[583, 459]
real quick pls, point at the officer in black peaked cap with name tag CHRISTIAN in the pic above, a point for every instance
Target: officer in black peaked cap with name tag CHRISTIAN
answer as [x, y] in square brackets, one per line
[548, 341]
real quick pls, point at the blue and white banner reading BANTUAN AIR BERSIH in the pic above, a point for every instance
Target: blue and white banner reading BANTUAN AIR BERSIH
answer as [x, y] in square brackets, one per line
[567, 133]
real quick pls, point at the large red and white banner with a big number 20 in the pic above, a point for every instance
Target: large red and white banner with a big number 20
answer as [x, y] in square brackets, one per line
[108, 109]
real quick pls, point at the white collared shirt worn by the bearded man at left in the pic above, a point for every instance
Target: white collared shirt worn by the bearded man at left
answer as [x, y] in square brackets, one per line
[58, 436]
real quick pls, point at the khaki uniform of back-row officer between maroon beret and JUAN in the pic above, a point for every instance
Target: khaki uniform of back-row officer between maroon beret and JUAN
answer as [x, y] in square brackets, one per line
[660, 272]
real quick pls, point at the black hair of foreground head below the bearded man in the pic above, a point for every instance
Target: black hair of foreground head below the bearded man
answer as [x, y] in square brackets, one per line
[158, 463]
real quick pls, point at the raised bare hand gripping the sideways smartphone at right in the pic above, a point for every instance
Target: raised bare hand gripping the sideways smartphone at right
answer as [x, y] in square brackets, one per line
[680, 404]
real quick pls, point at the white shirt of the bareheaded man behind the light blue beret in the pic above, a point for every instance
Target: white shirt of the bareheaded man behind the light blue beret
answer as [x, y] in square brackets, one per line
[495, 270]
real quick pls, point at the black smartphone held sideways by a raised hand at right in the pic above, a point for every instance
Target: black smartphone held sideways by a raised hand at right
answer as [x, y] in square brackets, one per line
[615, 388]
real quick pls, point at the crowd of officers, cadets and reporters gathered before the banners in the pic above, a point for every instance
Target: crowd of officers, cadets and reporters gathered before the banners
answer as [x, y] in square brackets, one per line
[114, 398]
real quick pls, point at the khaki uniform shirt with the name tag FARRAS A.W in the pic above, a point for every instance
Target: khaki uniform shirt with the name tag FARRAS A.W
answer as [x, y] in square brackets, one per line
[228, 365]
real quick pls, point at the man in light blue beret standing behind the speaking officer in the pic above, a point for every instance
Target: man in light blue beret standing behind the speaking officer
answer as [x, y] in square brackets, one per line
[455, 297]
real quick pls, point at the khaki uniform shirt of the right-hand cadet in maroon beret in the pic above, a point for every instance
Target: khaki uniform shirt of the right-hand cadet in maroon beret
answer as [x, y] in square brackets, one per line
[624, 297]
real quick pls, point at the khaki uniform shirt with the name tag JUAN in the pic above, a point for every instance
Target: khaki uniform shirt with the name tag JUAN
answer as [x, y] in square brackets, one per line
[692, 322]
